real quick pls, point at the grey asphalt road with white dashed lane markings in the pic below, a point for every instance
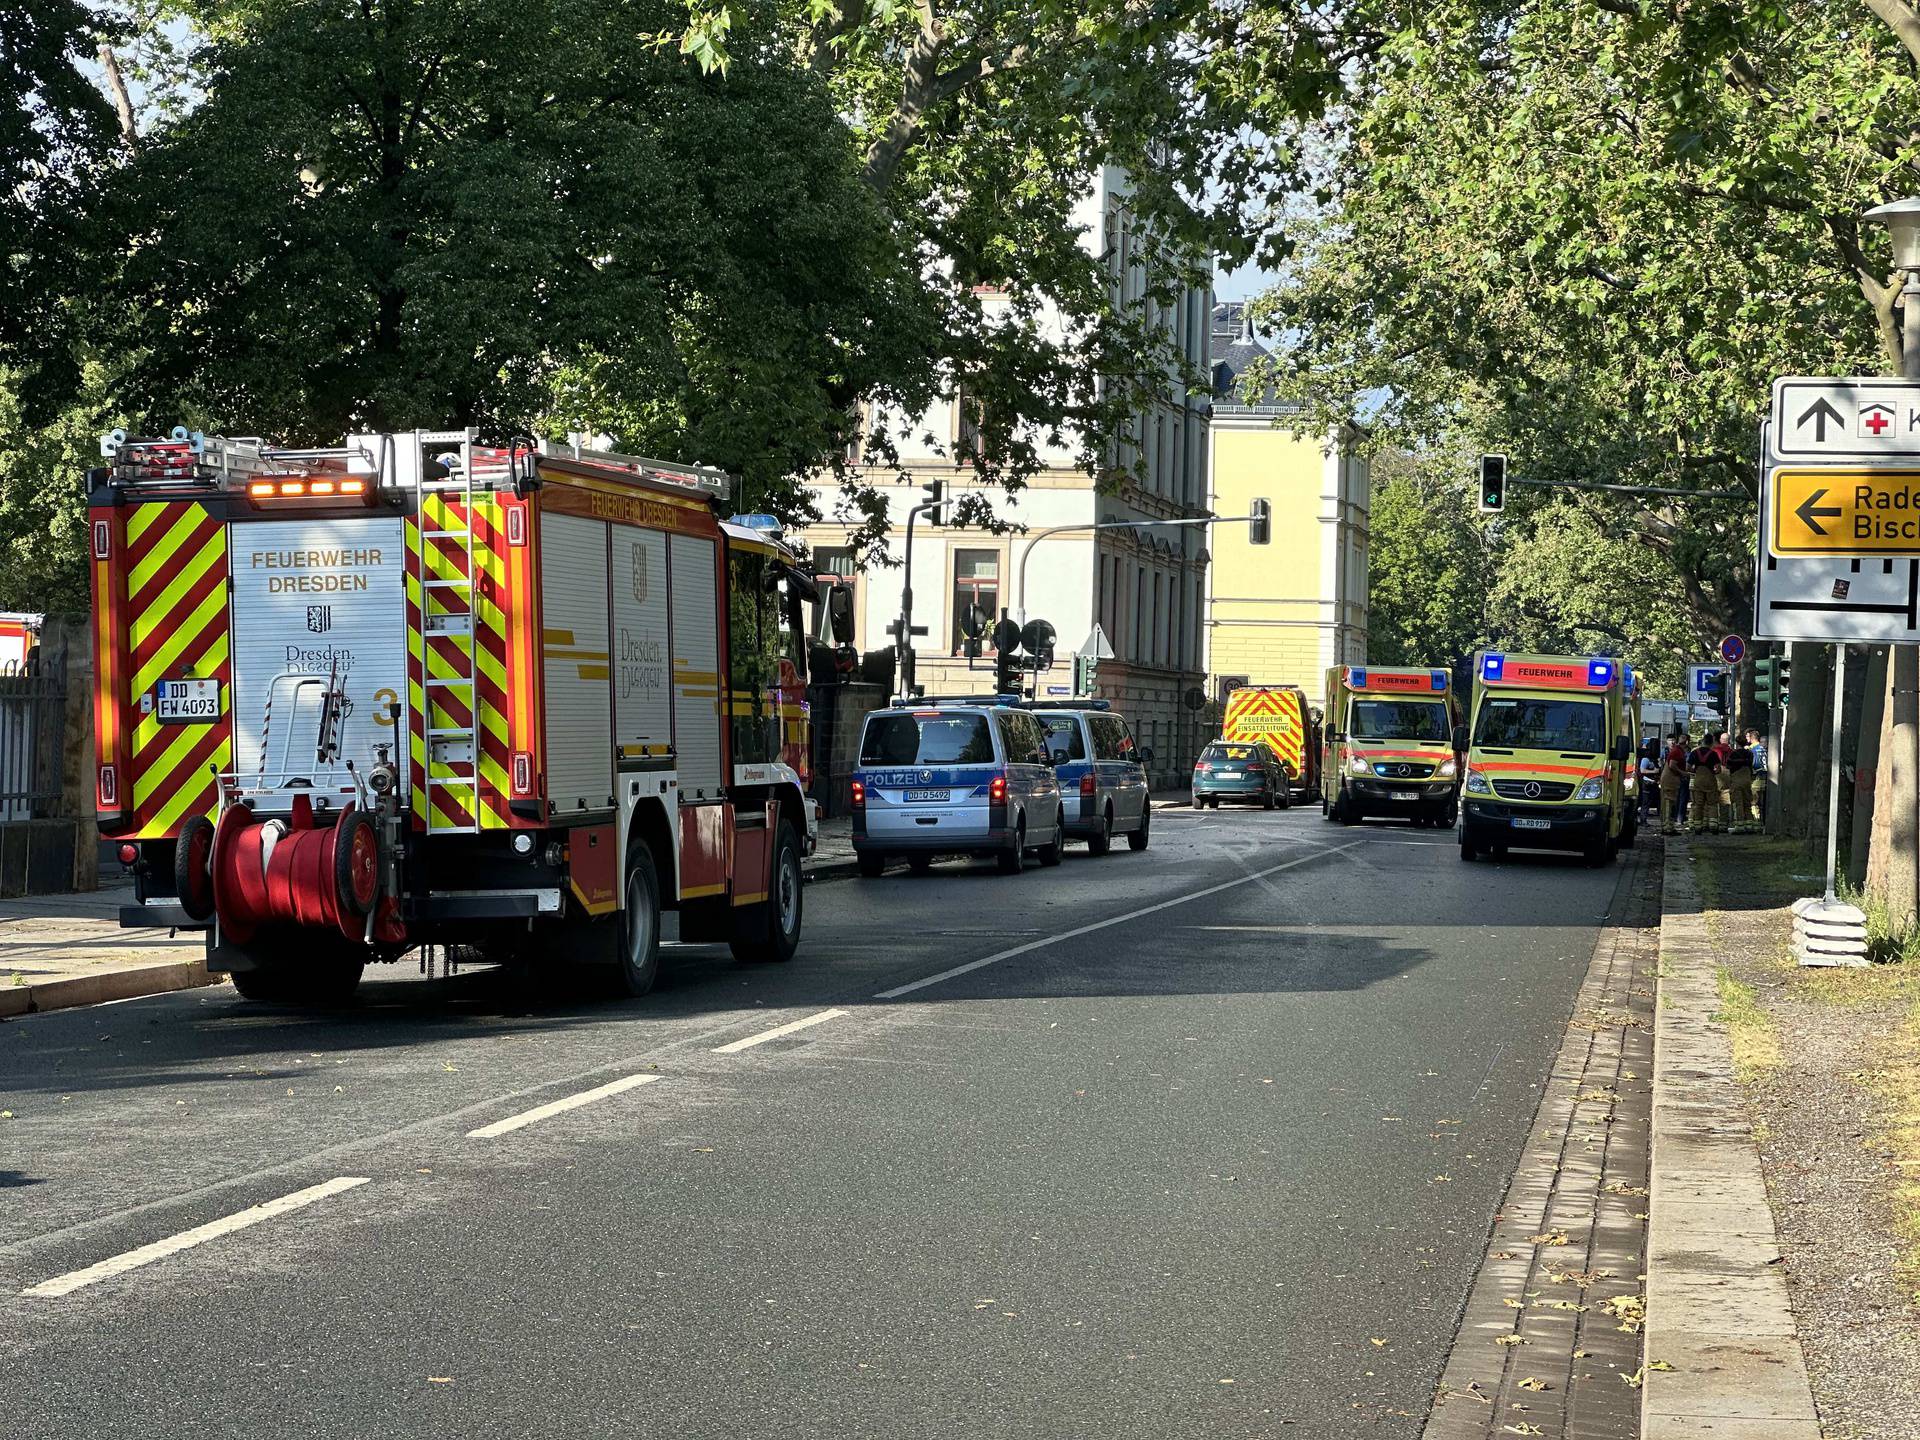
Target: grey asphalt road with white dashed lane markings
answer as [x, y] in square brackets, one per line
[1209, 1145]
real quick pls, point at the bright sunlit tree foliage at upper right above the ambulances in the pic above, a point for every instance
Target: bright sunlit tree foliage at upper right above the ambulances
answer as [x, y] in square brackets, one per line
[1591, 235]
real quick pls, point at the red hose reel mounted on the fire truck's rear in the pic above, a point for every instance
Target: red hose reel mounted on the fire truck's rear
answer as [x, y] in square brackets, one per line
[291, 873]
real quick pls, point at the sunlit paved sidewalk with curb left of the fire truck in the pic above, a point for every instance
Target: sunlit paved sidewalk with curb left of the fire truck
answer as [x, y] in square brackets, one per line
[62, 951]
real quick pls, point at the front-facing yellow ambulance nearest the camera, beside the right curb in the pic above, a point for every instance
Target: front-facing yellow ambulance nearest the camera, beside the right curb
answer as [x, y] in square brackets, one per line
[1548, 756]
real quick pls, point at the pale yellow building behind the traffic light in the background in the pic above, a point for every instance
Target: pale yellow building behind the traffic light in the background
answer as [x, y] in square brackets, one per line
[1280, 613]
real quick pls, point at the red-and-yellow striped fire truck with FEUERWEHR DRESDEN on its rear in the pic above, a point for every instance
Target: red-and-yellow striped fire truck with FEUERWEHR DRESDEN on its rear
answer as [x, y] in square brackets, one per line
[425, 692]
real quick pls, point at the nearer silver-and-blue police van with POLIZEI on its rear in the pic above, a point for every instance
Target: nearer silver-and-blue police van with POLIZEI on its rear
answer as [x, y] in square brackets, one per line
[955, 779]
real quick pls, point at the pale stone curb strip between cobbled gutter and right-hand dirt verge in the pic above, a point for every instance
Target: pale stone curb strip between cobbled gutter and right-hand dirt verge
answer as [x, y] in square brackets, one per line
[1719, 1312]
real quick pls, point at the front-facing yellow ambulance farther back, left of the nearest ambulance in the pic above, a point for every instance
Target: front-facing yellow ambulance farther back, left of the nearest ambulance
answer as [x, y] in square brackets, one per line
[1389, 746]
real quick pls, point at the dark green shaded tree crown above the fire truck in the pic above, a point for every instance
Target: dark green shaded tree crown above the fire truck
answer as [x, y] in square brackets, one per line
[514, 214]
